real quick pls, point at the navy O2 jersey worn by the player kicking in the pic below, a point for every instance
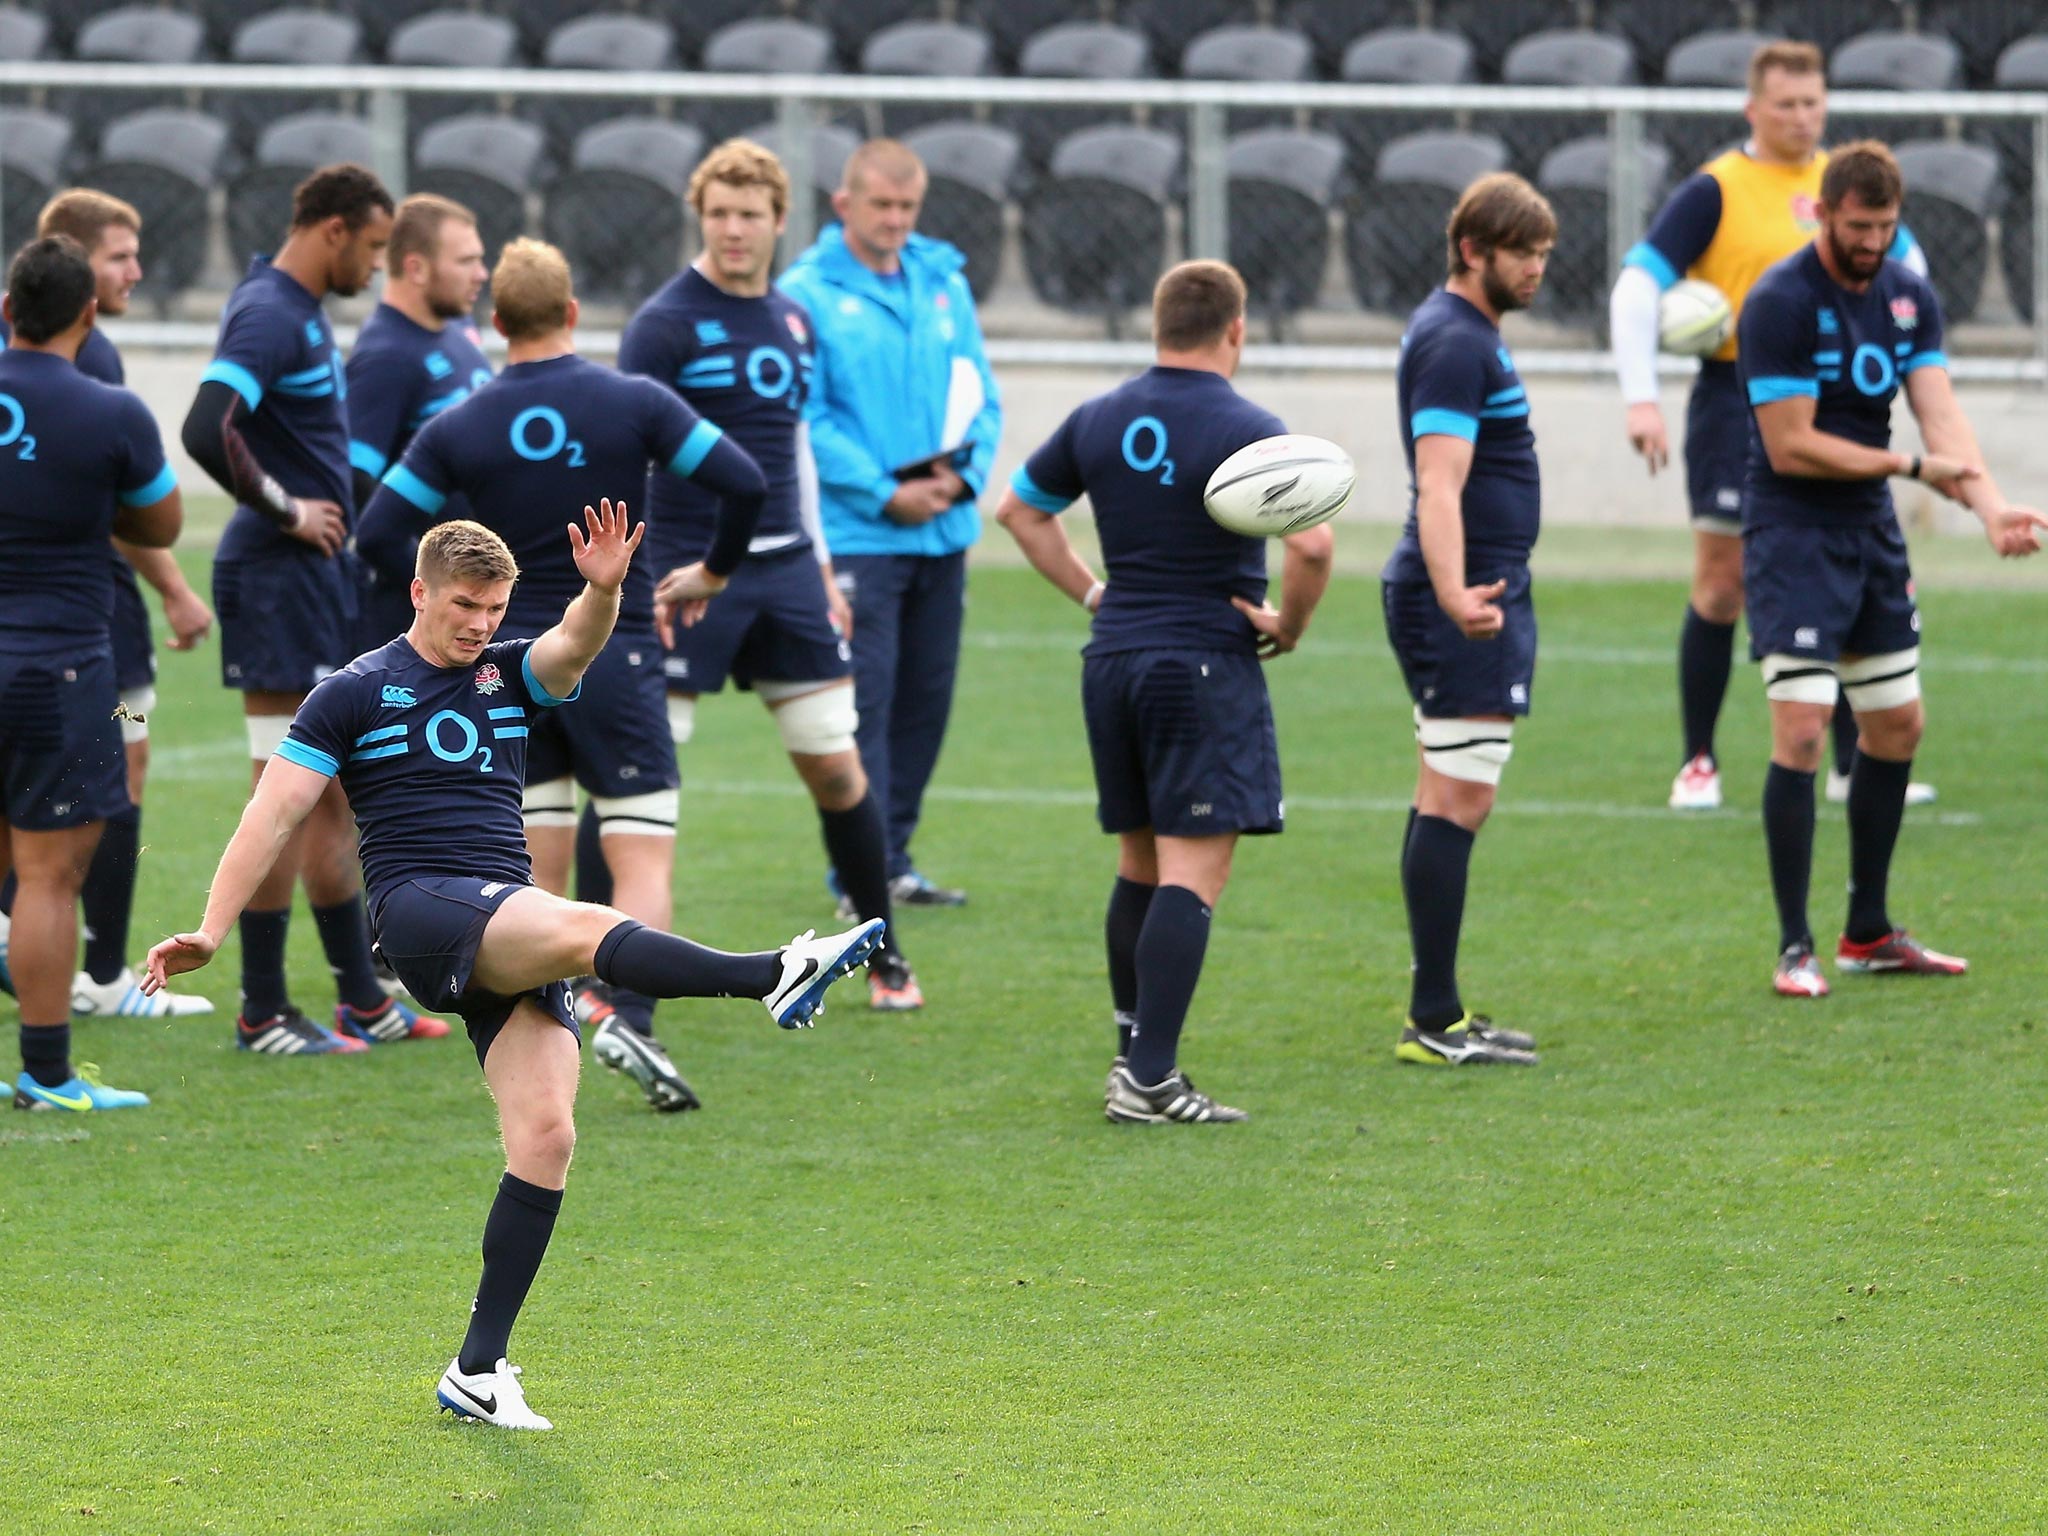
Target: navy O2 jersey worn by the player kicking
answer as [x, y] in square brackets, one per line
[433, 759]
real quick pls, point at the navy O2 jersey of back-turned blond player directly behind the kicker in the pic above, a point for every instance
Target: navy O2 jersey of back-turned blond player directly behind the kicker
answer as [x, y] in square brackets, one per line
[531, 452]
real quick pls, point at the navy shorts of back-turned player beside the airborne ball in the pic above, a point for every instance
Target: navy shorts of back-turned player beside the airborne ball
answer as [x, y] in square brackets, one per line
[1183, 742]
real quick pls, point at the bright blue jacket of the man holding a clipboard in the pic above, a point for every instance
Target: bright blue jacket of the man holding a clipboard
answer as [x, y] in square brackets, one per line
[886, 355]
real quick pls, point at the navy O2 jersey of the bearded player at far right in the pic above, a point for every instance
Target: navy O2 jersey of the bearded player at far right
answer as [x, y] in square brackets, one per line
[1805, 335]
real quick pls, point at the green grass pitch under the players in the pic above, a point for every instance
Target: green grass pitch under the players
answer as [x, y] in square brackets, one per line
[1719, 1265]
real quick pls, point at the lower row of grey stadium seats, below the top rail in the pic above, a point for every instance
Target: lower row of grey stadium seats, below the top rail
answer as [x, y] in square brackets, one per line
[1095, 226]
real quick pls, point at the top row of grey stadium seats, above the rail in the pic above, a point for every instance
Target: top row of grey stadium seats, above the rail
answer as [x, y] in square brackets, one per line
[1623, 42]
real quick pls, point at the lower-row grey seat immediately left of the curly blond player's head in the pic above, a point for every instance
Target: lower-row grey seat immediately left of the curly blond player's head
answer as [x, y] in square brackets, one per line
[617, 212]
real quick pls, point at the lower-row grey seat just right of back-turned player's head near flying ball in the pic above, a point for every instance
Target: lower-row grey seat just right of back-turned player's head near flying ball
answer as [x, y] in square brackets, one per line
[1283, 187]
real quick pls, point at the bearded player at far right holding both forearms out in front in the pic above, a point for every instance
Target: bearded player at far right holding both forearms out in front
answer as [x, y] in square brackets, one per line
[1828, 341]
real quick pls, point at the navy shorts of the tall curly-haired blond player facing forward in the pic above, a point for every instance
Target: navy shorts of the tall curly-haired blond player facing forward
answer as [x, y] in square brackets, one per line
[771, 622]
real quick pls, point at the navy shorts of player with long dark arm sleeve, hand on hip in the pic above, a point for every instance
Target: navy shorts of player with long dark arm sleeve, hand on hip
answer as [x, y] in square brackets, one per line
[288, 620]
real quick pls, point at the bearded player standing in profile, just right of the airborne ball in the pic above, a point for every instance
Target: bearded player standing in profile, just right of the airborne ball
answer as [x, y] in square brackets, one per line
[1457, 589]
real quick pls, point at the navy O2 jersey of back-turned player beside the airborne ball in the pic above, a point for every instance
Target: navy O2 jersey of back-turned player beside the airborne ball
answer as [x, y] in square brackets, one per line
[1142, 456]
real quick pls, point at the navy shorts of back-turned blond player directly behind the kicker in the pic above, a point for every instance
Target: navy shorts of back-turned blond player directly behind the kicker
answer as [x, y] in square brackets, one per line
[613, 736]
